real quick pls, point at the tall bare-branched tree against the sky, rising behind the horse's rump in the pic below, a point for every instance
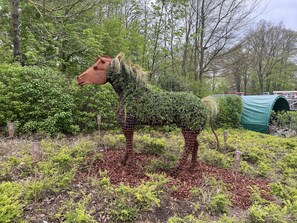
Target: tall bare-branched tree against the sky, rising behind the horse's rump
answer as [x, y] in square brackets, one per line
[214, 26]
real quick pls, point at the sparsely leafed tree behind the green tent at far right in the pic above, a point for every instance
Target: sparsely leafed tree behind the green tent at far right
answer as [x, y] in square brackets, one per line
[271, 46]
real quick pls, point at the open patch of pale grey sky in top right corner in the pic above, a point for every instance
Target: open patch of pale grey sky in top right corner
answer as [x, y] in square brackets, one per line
[281, 10]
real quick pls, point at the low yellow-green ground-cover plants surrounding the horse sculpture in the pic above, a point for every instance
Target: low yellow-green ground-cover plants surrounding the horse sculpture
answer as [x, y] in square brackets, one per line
[25, 185]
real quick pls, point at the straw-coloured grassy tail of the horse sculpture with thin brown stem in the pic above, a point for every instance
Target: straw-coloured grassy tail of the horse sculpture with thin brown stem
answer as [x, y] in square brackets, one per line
[213, 109]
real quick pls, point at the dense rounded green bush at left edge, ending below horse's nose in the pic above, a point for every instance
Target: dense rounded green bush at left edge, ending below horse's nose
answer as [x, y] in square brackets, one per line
[36, 99]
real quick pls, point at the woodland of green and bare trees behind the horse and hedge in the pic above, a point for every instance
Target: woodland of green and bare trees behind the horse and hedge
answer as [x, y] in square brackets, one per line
[203, 46]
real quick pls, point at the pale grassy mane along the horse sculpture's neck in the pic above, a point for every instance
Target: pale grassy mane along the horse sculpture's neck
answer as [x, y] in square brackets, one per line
[136, 71]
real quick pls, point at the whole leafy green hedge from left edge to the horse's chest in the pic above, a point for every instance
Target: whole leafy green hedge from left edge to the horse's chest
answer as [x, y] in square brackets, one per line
[42, 100]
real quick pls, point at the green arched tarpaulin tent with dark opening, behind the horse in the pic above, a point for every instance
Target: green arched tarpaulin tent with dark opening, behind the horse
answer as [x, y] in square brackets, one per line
[257, 111]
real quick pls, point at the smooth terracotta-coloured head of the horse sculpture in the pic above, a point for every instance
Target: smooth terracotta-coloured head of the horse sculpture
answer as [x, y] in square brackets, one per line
[96, 74]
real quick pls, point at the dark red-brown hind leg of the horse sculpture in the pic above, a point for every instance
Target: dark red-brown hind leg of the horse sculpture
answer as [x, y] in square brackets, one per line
[190, 143]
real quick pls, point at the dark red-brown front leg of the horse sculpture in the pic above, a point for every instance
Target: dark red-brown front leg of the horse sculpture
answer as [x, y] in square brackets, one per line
[128, 133]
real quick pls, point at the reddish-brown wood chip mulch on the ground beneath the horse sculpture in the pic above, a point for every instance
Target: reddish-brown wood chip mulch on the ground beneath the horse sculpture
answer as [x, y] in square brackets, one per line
[238, 185]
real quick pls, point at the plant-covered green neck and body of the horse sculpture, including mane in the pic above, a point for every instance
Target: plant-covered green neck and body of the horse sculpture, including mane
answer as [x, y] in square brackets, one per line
[154, 107]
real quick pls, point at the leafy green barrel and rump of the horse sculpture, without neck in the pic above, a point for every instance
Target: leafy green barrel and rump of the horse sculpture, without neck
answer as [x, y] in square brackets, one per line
[163, 108]
